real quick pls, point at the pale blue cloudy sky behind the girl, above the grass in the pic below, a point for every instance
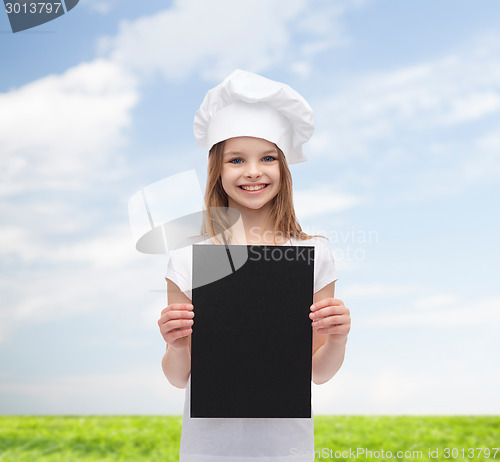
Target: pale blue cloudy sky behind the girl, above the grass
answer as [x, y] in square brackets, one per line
[402, 177]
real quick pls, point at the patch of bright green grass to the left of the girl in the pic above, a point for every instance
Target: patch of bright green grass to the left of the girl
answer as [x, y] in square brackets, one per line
[89, 438]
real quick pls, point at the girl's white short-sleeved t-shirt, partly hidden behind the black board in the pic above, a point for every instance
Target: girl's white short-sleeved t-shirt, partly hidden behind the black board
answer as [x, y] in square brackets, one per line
[247, 439]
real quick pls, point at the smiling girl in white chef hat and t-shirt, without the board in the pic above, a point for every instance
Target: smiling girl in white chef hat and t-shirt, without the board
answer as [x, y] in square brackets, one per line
[253, 128]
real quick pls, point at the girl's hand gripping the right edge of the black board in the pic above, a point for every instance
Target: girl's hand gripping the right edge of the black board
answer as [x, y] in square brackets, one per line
[331, 317]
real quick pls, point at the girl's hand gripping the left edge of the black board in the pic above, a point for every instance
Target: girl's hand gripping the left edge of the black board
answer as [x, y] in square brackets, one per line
[176, 323]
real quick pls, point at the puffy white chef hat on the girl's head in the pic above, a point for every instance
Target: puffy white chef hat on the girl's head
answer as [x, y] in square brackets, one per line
[247, 104]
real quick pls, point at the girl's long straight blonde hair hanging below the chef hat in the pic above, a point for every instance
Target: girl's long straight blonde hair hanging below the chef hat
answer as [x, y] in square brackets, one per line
[218, 219]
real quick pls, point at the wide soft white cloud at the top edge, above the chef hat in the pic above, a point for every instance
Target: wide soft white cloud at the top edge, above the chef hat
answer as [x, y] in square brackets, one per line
[208, 37]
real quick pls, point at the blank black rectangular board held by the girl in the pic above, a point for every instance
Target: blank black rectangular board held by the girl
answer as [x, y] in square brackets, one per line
[252, 335]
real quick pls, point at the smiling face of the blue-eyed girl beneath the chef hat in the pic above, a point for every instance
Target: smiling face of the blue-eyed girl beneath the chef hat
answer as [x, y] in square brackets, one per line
[250, 172]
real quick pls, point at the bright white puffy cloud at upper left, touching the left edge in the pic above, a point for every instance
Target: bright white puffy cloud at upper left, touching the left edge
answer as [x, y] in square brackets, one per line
[59, 127]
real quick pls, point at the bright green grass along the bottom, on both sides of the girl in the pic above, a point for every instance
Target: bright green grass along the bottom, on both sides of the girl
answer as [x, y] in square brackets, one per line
[156, 438]
